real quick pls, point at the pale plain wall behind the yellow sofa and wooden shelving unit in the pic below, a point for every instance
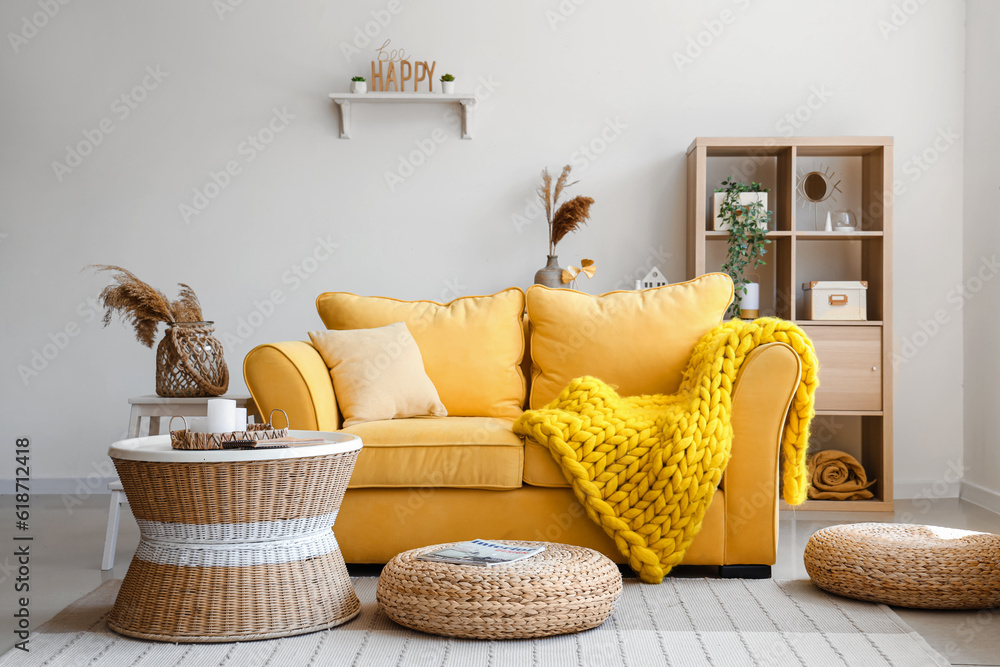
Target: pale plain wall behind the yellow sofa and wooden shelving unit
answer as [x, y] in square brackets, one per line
[448, 229]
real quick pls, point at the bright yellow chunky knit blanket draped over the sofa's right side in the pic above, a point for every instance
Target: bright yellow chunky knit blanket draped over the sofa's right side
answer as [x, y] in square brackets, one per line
[645, 467]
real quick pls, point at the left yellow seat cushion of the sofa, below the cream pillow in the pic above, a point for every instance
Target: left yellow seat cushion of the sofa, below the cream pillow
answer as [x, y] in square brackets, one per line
[455, 452]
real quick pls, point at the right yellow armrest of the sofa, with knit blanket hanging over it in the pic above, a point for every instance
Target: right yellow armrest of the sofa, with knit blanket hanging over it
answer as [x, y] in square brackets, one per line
[764, 389]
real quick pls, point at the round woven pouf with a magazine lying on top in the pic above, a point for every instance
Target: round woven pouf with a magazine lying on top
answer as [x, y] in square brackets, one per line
[560, 590]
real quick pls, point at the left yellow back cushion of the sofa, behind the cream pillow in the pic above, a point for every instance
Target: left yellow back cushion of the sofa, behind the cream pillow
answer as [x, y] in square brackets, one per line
[472, 346]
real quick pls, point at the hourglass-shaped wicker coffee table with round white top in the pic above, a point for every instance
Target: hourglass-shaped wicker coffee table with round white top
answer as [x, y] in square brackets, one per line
[235, 545]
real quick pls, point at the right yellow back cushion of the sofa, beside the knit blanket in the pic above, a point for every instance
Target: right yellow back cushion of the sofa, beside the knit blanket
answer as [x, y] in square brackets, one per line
[639, 341]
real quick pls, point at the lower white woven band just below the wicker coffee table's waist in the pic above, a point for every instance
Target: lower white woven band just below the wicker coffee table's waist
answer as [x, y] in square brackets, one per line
[239, 554]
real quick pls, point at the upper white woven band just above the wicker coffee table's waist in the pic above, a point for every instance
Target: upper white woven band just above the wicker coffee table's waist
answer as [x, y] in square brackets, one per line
[234, 532]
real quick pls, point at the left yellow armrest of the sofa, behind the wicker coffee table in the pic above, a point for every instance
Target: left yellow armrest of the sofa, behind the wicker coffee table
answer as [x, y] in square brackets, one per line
[292, 376]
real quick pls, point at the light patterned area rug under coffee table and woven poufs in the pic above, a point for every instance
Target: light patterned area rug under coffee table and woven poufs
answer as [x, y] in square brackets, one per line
[679, 622]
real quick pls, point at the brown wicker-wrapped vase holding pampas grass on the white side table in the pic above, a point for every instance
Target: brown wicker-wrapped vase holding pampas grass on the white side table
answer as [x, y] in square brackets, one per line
[189, 362]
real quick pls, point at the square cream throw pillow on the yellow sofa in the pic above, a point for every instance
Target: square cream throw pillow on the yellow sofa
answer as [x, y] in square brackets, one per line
[378, 374]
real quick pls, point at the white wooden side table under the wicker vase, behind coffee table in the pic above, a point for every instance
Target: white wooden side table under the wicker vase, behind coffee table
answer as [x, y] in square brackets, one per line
[151, 408]
